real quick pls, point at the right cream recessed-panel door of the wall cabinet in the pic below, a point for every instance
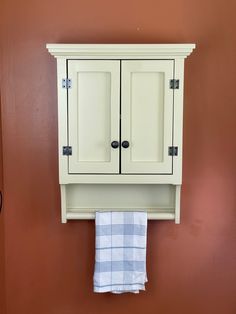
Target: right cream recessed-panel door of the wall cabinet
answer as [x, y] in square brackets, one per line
[147, 116]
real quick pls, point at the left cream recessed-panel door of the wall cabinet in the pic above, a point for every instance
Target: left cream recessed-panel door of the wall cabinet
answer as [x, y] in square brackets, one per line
[93, 115]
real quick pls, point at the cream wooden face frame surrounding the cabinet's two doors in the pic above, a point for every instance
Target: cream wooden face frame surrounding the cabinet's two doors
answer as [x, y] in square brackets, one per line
[65, 178]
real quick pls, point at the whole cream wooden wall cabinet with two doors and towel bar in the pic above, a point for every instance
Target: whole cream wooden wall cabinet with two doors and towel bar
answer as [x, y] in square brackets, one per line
[120, 113]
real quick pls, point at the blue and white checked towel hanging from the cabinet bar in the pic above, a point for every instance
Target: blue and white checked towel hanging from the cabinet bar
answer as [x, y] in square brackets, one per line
[120, 259]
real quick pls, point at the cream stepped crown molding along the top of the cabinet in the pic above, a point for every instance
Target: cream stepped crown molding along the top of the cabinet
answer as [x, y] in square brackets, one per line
[121, 51]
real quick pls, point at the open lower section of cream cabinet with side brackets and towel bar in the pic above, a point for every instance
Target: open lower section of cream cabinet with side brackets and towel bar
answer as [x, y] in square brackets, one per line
[162, 202]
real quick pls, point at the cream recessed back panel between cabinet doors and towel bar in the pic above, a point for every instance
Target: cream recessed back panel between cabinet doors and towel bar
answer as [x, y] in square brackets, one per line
[106, 196]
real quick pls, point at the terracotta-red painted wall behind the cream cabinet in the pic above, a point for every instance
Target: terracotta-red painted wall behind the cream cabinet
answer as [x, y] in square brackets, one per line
[49, 266]
